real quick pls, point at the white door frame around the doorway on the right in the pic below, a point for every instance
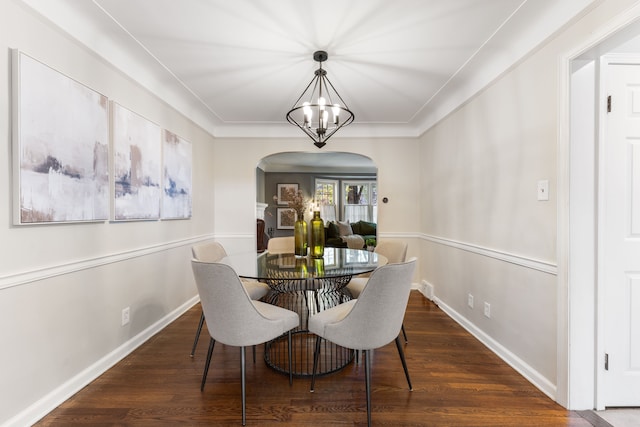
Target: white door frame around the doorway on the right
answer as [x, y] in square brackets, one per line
[580, 352]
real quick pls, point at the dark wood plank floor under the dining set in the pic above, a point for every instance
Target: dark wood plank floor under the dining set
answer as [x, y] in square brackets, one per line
[456, 380]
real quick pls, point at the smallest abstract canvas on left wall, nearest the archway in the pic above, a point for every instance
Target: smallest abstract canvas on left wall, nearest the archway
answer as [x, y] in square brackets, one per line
[176, 195]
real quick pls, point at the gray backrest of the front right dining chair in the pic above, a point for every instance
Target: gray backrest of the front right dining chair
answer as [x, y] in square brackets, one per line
[377, 315]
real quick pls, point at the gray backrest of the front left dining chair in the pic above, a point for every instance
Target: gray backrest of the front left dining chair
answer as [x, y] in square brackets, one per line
[231, 317]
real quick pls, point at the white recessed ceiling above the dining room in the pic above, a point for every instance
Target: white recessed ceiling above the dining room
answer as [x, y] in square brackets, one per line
[236, 67]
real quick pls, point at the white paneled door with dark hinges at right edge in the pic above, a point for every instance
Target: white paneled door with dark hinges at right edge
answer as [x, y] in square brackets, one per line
[620, 238]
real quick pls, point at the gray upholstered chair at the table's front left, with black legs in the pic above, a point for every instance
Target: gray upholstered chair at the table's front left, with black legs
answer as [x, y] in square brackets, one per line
[234, 319]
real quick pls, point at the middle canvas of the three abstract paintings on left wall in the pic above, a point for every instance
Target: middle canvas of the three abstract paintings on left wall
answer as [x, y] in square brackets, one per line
[136, 166]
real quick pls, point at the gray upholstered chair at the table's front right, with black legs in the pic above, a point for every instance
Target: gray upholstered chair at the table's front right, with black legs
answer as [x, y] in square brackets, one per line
[371, 321]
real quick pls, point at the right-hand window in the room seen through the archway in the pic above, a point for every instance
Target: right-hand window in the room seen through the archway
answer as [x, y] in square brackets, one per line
[360, 200]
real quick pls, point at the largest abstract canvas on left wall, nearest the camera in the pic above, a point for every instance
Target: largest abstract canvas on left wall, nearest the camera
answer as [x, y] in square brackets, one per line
[60, 146]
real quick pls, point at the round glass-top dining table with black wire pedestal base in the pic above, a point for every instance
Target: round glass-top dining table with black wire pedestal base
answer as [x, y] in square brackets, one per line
[307, 286]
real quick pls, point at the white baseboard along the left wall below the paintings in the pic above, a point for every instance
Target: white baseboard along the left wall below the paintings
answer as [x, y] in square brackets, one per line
[56, 397]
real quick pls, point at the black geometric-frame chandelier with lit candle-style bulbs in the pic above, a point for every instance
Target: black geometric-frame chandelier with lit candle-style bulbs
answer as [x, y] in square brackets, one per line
[320, 111]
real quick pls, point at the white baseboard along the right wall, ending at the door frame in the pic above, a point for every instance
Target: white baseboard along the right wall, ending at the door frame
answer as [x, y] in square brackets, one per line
[533, 376]
